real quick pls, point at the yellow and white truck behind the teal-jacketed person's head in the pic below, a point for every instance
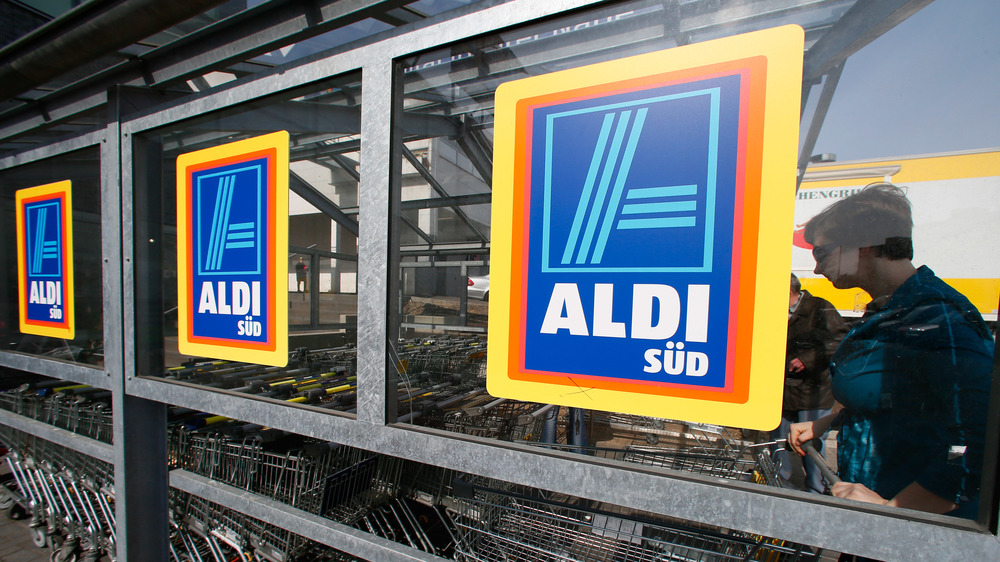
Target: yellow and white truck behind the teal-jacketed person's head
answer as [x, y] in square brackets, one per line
[956, 220]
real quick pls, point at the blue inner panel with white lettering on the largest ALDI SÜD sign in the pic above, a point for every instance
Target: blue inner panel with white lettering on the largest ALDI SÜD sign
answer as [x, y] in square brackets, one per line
[632, 201]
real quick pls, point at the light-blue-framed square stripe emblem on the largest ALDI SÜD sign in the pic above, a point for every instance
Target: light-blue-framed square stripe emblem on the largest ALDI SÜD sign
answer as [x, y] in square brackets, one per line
[634, 190]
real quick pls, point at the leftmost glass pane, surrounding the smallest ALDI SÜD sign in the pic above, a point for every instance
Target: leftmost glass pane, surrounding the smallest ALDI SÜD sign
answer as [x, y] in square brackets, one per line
[83, 169]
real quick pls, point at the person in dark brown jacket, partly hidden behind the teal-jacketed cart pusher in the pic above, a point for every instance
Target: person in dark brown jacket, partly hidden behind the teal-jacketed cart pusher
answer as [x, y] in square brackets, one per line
[815, 328]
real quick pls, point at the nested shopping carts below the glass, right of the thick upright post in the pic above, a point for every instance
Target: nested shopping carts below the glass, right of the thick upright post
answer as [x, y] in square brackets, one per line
[432, 509]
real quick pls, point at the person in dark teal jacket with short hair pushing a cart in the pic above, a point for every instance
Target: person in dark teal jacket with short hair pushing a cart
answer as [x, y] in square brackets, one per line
[912, 378]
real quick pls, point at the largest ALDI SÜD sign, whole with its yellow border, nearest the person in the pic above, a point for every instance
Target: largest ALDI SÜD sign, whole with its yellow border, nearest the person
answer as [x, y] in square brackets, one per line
[646, 206]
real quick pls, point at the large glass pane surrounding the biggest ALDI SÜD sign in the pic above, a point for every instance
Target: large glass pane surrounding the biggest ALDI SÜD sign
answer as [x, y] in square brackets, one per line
[447, 100]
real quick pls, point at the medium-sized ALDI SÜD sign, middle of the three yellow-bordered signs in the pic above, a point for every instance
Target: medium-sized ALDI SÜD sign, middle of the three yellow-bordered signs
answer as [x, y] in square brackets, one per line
[232, 236]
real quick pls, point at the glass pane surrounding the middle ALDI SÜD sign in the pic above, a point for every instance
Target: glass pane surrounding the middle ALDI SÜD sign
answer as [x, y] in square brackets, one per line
[323, 121]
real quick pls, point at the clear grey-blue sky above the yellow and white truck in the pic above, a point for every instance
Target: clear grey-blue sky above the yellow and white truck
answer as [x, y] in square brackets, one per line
[929, 85]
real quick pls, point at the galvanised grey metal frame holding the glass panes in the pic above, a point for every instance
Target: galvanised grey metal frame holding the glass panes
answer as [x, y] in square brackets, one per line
[873, 531]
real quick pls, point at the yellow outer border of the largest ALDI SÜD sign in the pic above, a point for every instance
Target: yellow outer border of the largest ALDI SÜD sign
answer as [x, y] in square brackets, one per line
[782, 48]
